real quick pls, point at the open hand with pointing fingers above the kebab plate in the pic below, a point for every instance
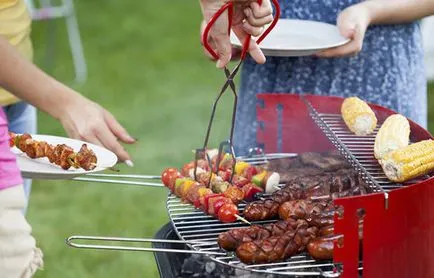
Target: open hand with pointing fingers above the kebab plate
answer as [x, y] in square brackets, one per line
[88, 121]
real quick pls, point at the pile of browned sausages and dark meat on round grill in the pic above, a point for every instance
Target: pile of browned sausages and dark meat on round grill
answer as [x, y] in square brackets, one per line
[305, 207]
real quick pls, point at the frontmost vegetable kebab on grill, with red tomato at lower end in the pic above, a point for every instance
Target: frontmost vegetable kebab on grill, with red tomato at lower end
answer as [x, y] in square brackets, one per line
[189, 190]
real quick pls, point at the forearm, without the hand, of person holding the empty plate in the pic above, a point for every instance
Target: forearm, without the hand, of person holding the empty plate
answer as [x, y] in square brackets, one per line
[397, 11]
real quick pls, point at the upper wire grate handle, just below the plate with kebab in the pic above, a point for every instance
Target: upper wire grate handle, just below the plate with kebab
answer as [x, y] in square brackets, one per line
[120, 179]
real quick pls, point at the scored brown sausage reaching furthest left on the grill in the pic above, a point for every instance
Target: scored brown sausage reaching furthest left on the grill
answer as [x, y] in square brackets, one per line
[231, 239]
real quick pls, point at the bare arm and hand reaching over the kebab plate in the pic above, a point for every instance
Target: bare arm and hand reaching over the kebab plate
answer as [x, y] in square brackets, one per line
[81, 118]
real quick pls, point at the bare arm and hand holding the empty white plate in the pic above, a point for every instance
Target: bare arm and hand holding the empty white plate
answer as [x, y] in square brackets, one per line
[354, 20]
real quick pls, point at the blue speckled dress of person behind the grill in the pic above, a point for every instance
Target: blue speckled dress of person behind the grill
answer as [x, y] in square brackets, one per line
[389, 70]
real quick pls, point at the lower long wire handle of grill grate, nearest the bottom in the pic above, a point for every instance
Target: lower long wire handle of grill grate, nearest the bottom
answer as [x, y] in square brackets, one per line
[70, 242]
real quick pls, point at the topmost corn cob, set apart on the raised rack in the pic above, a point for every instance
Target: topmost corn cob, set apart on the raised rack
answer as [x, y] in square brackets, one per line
[358, 116]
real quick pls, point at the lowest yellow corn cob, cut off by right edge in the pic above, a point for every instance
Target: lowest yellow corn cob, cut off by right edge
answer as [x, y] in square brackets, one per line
[409, 162]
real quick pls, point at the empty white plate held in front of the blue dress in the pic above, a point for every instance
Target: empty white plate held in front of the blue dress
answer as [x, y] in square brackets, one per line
[293, 37]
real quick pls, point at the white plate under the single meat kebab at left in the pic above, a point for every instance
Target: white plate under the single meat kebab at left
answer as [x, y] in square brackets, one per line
[41, 168]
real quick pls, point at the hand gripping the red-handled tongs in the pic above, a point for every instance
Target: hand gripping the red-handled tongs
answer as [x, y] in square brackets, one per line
[249, 18]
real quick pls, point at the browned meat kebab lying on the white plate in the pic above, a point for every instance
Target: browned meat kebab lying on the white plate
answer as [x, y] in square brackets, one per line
[61, 154]
